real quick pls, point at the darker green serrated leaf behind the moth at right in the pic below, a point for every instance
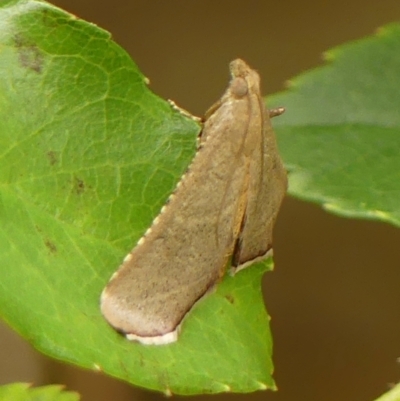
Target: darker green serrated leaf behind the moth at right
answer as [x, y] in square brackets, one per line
[340, 136]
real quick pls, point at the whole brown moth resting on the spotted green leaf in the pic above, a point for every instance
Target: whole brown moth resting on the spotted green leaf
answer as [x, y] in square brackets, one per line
[224, 207]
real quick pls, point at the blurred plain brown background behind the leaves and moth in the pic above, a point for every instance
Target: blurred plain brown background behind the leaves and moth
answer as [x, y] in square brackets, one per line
[334, 294]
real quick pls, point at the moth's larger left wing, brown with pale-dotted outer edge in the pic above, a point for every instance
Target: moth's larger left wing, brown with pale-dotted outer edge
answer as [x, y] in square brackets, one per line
[185, 251]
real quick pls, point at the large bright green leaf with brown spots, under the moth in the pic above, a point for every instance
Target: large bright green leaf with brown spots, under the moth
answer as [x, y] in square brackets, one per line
[88, 155]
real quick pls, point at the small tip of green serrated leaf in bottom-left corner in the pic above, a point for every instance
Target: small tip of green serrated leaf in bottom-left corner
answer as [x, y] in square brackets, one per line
[23, 392]
